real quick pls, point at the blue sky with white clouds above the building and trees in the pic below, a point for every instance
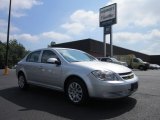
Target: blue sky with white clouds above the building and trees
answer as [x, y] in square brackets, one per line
[35, 23]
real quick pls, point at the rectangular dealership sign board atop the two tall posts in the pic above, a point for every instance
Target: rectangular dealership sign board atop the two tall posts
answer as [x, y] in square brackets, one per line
[108, 15]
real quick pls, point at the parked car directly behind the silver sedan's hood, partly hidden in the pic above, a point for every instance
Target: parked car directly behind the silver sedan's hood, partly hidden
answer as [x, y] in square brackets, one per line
[112, 60]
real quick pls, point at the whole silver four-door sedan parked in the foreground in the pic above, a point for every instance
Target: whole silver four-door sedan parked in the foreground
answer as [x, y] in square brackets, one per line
[76, 73]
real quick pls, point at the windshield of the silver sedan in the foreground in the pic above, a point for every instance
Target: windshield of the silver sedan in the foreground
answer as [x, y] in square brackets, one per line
[75, 55]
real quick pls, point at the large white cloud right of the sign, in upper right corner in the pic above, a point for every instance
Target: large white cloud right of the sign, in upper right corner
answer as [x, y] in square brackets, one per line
[139, 13]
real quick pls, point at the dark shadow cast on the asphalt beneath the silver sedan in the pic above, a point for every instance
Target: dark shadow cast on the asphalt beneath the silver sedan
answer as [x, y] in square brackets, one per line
[41, 99]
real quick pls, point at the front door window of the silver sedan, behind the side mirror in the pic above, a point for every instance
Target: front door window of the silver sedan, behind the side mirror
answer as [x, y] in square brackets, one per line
[46, 55]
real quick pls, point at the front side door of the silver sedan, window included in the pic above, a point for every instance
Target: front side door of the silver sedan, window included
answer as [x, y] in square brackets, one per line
[50, 73]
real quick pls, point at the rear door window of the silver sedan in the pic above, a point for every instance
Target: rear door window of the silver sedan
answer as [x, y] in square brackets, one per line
[33, 57]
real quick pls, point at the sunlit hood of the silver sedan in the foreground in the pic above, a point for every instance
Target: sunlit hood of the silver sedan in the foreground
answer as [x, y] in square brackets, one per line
[103, 66]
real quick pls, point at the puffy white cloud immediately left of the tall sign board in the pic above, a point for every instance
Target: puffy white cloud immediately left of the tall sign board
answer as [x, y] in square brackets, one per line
[81, 21]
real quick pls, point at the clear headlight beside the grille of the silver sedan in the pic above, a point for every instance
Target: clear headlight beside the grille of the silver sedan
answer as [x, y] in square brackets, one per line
[106, 75]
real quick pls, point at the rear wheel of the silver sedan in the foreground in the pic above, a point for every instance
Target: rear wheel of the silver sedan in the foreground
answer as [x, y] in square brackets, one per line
[22, 83]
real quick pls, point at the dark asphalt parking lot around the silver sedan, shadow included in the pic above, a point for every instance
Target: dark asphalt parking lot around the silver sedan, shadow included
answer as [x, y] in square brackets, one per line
[44, 104]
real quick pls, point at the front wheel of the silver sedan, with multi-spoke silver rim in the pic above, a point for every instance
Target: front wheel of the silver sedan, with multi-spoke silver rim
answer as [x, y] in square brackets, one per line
[76, 91]
